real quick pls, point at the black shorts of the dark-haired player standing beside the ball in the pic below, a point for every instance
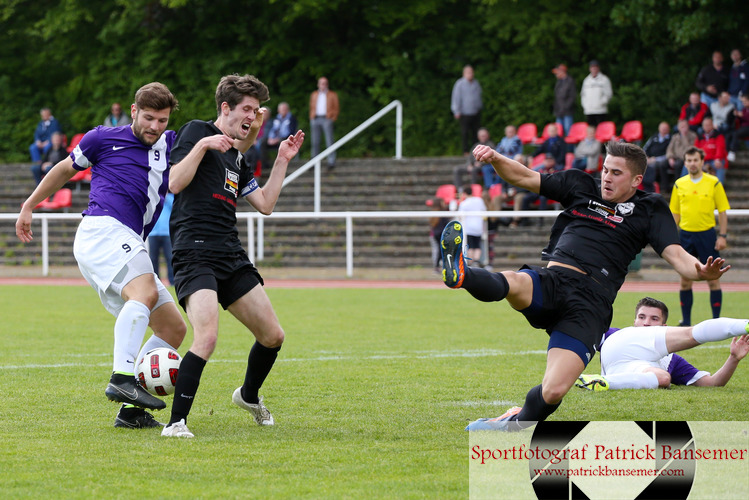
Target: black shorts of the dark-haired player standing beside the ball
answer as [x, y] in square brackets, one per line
[230, 275]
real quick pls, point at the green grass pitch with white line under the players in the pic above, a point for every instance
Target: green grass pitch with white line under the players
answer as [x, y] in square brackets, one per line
[370, 393]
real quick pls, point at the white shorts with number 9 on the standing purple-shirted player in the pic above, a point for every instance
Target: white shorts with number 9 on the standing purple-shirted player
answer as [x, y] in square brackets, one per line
[110, 255]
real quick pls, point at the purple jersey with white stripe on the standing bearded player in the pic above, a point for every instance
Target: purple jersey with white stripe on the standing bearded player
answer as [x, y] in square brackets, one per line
[128, 179]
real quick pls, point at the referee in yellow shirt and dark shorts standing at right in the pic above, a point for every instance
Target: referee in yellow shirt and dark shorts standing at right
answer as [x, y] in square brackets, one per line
[694, 199]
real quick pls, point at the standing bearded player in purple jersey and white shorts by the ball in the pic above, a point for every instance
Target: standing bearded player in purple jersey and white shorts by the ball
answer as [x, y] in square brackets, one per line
[130, 173]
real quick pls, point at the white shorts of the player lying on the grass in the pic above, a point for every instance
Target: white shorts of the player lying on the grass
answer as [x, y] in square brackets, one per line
[630, 350]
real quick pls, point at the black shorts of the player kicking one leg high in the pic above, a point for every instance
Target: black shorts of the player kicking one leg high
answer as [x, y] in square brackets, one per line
[569, 302]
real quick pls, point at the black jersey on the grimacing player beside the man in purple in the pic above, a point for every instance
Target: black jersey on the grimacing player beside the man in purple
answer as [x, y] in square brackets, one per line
[204, 215]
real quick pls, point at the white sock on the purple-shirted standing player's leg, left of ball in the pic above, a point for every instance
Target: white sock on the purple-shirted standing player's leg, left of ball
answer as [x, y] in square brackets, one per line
[129, 330]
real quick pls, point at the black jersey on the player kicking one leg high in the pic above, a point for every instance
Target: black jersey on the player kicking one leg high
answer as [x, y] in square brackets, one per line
[601, 237]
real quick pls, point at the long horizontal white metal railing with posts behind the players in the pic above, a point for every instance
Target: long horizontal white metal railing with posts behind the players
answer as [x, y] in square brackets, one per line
[256, 242]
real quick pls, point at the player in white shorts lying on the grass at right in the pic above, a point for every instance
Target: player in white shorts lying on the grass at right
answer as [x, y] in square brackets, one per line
[633, 358]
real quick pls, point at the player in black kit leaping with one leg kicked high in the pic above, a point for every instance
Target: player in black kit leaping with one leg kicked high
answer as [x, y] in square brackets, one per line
[604, 225]
